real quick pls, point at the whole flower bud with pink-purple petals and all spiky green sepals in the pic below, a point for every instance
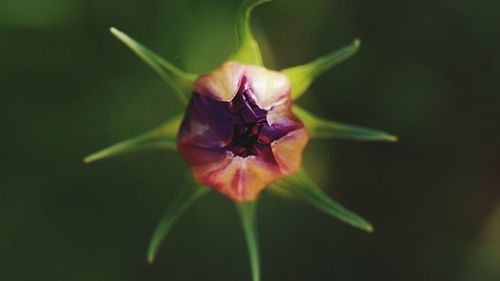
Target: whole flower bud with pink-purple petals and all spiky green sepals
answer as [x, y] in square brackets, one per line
[241, 132]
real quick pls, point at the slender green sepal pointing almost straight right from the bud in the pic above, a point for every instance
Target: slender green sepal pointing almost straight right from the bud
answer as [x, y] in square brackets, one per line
[321, 128]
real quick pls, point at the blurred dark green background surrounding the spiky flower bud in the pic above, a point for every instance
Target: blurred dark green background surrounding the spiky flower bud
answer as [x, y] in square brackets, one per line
[427, 71]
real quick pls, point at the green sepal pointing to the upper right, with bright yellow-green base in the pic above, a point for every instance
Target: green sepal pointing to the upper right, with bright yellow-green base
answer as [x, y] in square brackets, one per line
[302, 76]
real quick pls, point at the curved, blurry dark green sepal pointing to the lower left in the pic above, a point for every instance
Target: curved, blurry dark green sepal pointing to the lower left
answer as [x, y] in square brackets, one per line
[180, 204]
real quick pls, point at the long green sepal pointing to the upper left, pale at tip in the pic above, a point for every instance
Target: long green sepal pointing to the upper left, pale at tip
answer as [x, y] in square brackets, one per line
[181, 81]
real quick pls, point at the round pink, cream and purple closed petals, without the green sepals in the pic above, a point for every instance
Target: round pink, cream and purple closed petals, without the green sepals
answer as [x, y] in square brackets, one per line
[239, 133]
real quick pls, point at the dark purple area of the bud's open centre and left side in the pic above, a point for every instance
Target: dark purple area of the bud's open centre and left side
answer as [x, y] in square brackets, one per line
[240, 124]
